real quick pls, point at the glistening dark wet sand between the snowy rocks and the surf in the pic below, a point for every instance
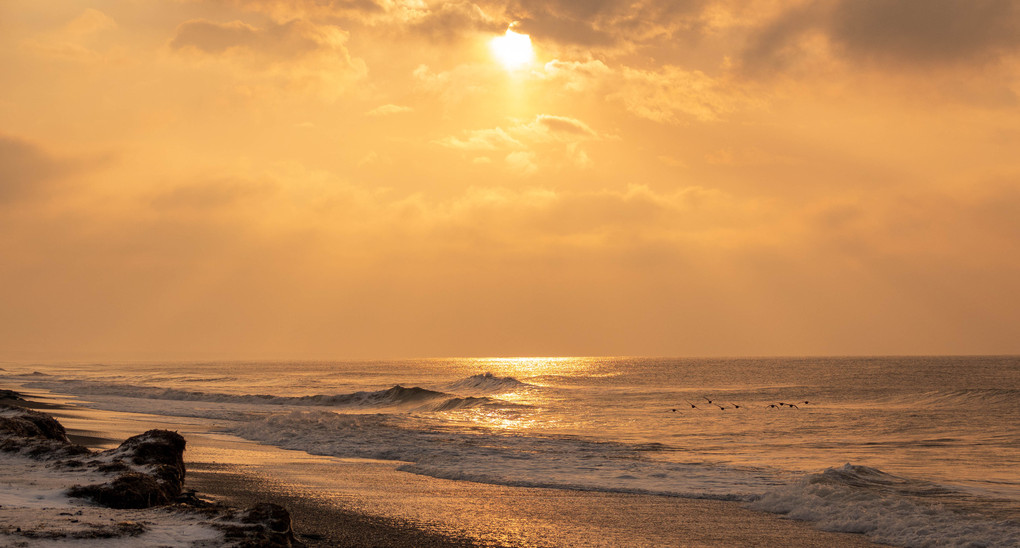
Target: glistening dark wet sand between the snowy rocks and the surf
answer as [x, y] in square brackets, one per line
[341, 505]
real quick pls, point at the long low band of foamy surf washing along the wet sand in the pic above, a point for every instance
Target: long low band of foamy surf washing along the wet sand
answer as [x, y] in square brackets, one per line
[502, 459]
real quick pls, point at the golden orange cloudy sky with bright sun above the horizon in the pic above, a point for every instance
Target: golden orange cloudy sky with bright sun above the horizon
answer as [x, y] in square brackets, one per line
[368, 179]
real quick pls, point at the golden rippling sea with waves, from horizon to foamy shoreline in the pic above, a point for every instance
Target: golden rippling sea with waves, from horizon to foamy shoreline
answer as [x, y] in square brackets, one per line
[910, 452]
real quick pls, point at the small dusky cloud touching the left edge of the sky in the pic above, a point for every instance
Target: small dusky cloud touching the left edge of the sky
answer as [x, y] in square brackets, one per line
[26, 170]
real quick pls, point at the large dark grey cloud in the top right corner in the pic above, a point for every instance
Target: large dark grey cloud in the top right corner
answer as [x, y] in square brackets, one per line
[901, 33]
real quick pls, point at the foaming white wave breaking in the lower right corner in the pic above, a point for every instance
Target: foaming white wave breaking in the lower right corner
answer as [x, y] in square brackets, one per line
[886, 509]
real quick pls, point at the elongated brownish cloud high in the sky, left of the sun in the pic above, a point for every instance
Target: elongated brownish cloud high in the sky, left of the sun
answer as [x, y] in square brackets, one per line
[286, 40]
